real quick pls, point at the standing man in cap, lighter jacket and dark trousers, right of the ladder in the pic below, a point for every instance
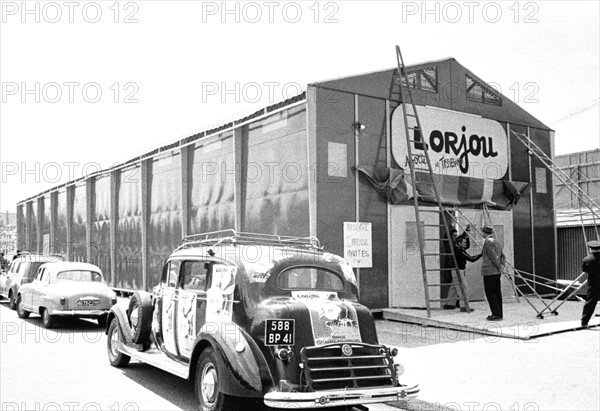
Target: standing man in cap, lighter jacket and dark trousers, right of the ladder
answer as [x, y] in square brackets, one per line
[493, 259]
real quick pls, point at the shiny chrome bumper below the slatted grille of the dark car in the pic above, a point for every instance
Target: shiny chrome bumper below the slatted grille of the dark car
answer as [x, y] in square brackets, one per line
[337, 398]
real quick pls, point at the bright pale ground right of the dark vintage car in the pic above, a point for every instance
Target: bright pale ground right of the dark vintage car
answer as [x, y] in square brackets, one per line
[469, 371]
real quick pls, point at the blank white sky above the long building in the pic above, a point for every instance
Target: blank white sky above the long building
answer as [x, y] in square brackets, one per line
[88, 84]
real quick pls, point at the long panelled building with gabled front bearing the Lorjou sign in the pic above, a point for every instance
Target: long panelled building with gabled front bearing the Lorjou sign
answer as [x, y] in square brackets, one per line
[318, 164]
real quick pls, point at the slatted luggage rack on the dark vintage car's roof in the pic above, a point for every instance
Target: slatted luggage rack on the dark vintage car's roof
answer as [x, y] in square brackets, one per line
[231, 236]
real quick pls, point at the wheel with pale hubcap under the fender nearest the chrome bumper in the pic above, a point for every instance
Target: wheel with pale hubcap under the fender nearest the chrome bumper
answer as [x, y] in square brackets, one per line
[206, 386]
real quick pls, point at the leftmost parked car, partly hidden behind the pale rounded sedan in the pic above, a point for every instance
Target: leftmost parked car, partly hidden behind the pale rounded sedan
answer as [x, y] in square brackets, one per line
[22, 271]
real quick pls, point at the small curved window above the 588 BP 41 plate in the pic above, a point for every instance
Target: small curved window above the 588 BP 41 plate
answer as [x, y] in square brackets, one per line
[310, 278]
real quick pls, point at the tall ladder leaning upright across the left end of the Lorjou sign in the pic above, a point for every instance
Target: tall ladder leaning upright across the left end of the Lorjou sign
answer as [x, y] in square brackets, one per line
[422, 178]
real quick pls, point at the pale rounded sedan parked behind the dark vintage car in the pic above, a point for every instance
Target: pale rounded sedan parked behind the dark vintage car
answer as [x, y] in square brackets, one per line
[66, 289]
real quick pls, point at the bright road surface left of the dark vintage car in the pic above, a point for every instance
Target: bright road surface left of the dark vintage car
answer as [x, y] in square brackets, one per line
[67, 369]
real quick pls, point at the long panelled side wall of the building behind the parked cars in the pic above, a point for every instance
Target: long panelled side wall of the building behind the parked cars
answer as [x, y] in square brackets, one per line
[128, 220]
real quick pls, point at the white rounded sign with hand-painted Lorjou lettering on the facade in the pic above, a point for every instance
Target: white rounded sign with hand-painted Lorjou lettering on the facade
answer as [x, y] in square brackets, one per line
[458, 144]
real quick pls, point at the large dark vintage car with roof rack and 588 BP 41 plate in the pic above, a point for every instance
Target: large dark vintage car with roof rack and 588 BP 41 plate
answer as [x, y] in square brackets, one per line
[257, 320]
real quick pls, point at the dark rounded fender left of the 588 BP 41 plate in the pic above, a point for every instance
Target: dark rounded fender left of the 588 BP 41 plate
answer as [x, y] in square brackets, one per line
[242, 374]
